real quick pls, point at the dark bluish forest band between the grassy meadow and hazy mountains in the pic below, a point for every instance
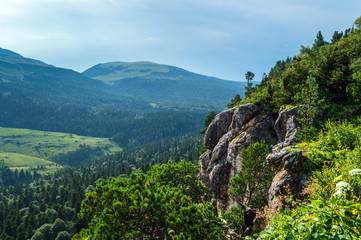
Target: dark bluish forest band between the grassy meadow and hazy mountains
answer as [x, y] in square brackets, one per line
[127, 128]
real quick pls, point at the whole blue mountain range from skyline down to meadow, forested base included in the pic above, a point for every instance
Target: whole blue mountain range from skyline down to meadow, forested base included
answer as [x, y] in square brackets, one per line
[132, 103]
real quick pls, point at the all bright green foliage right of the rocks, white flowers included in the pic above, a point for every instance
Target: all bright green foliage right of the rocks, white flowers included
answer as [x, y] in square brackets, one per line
[334, 211]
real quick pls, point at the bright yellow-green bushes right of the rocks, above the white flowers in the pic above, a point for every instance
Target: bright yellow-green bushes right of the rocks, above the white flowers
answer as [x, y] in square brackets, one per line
[336, 152]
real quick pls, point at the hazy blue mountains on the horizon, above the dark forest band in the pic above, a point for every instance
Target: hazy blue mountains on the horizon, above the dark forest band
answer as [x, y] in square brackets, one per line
[130, 86]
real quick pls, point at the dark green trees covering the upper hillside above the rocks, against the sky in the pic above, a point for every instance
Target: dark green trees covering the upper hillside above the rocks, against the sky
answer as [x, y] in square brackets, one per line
[335, 69]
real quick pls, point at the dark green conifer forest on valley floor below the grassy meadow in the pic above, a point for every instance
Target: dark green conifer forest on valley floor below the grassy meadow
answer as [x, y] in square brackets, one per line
[34, 207]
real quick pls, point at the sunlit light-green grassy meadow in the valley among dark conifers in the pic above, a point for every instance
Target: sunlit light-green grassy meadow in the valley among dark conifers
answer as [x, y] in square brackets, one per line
[25, 148]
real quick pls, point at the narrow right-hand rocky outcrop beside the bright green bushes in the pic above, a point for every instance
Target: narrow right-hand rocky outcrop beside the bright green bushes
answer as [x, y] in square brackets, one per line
[286, 161]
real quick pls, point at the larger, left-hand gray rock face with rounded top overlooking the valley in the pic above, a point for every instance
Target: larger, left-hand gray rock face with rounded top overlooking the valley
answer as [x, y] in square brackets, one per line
[230, 132]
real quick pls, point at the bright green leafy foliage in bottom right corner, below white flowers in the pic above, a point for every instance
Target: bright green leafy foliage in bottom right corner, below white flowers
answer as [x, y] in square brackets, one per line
[334, 218]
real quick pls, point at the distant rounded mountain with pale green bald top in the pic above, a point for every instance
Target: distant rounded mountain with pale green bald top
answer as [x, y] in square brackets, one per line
[160, 83]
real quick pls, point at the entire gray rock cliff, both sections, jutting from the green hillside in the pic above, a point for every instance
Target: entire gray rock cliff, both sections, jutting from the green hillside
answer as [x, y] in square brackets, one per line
[235, 129]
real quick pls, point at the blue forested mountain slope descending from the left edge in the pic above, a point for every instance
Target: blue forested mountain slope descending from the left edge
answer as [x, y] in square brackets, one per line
[34, 78]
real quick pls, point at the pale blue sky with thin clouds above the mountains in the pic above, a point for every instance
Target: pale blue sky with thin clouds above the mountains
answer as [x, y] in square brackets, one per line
[220, 38]
